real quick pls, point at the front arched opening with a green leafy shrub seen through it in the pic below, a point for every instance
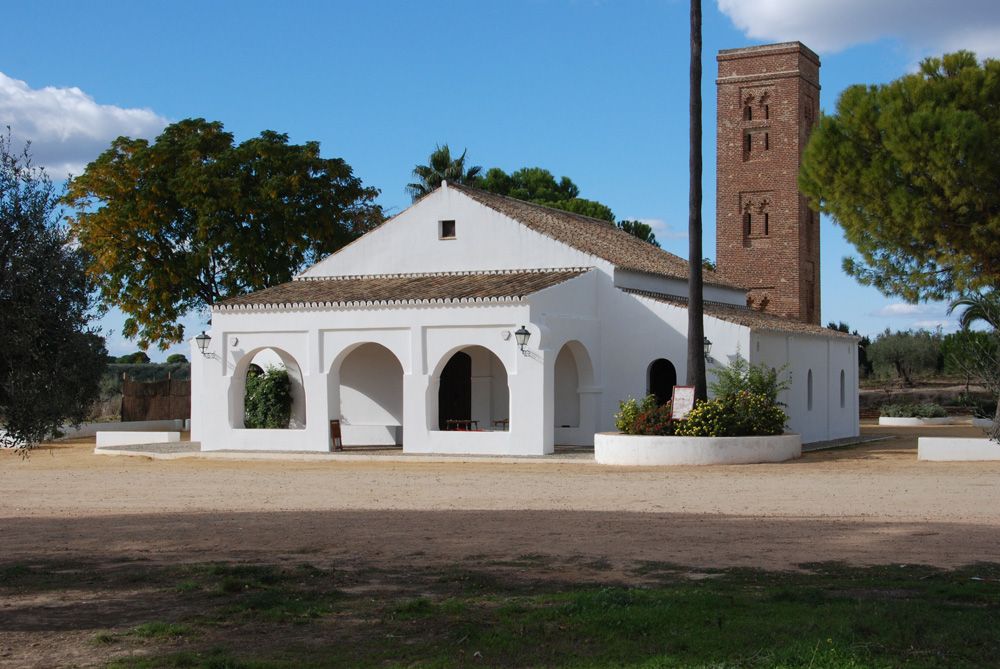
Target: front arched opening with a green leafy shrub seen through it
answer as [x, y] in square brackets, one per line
[267, 392]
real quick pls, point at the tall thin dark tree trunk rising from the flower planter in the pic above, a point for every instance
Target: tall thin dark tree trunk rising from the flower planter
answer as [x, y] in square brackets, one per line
[696, 310]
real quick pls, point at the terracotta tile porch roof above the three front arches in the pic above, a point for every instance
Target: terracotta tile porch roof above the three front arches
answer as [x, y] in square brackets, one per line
[402, 288]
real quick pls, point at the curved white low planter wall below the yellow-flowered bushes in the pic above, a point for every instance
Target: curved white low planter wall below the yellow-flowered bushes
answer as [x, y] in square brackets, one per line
[614, 448]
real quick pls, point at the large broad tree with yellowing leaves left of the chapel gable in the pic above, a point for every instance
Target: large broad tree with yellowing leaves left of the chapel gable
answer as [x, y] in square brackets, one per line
[192, 218]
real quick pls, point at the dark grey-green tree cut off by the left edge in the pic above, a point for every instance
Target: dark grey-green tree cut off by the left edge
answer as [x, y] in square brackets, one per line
[51, 358]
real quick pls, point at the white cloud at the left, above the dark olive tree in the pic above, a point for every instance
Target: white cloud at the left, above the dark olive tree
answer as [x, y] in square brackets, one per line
[66, 127]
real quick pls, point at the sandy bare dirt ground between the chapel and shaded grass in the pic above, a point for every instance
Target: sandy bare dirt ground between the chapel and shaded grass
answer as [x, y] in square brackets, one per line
[864, 505]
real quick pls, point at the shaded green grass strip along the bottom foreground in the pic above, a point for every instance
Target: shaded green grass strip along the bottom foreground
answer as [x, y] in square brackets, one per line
[827, 616]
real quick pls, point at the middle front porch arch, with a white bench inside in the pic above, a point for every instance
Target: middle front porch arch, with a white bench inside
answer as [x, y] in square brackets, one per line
[370, 406]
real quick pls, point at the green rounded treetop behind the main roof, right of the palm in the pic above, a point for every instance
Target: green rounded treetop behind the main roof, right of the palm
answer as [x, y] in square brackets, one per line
[538, 185]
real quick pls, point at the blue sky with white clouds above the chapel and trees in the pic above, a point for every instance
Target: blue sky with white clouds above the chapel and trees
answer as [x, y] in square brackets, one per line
[593, 90]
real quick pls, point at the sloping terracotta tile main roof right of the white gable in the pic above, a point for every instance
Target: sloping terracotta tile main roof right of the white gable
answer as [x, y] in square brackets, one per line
[591, 235]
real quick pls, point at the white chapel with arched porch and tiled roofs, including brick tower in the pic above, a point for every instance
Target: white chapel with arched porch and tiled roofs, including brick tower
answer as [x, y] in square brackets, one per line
[409, 335]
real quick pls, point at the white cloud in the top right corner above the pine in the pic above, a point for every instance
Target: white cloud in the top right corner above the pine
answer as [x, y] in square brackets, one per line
[928, 26]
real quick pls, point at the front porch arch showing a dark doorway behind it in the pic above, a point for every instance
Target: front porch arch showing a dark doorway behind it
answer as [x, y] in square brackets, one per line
[473, 392]
